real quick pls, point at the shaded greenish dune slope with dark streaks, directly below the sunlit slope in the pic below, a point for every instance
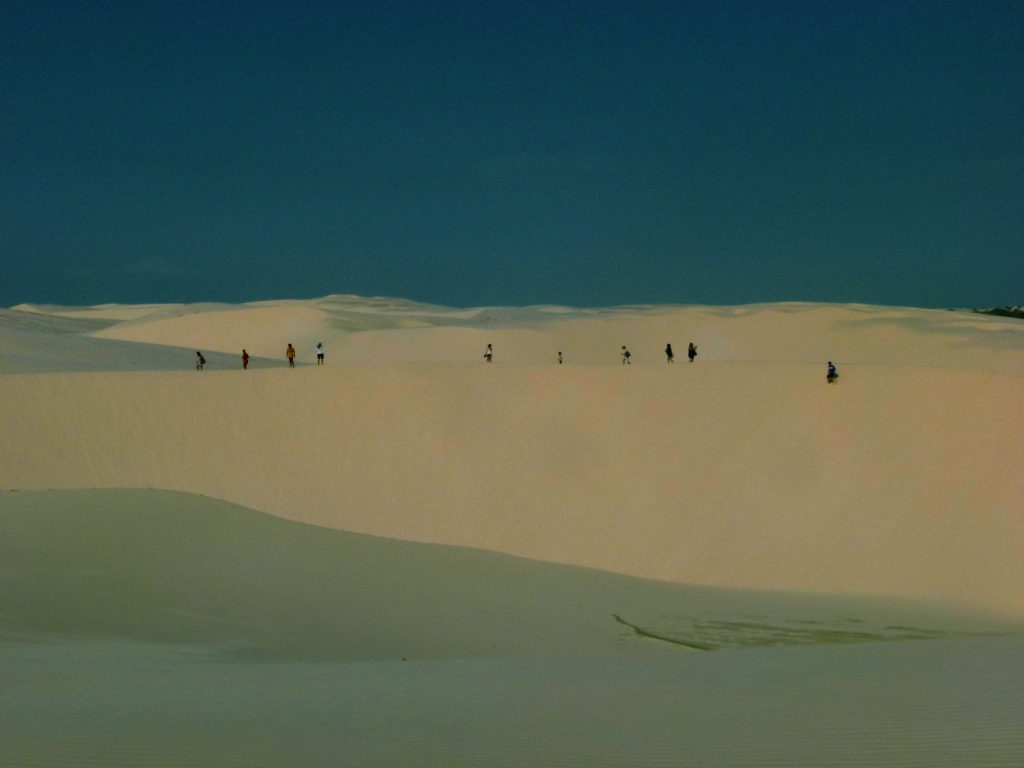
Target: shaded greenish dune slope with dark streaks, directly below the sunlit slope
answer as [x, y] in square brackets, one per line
[159, 567]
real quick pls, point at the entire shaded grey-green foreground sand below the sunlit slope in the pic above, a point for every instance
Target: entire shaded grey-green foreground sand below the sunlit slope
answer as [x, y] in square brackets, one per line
[153, 628]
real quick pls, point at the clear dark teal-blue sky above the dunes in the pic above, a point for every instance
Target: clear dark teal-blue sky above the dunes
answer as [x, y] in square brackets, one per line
[514, 153]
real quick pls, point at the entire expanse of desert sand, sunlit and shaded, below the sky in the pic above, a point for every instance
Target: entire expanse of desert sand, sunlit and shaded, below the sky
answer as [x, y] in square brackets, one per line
[147, 627]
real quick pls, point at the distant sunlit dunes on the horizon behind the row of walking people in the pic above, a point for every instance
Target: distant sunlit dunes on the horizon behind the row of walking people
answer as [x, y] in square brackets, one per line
[389, 330]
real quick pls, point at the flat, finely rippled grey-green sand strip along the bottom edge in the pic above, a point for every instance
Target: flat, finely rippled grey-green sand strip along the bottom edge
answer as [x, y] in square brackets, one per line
[951, 703]
